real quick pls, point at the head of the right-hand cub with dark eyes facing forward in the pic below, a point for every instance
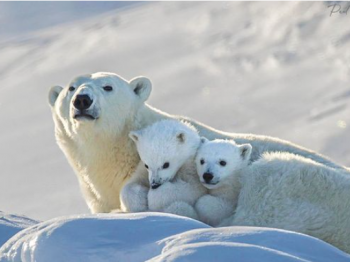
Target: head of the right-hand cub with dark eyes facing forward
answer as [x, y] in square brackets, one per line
[219, 160]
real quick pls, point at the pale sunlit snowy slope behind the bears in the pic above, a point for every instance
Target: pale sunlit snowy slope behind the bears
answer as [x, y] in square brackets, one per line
[279, 69]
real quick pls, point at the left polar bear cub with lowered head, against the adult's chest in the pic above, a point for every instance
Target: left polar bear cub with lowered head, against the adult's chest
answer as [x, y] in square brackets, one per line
[167, 150]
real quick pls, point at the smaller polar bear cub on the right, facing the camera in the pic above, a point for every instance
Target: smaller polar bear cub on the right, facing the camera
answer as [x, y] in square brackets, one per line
[217, 163]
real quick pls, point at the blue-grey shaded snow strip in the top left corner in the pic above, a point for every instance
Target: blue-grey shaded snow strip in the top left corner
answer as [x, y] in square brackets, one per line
[25, 18]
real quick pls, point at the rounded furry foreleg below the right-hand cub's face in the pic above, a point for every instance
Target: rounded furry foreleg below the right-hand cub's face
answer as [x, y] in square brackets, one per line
[213, 210]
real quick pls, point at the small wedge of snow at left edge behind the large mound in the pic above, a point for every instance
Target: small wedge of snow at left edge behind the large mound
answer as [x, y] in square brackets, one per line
[12, 224]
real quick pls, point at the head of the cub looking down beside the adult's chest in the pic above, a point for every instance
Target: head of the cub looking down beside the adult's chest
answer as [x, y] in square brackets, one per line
[164, 147]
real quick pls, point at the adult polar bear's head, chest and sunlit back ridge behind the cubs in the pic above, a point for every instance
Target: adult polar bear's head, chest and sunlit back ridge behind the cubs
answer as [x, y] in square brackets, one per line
[93, 116]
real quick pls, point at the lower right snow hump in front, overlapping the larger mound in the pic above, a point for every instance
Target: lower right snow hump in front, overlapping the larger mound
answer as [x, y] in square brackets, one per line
[247, 244]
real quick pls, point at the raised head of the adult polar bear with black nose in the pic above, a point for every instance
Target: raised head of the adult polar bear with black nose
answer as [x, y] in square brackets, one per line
[102, 103]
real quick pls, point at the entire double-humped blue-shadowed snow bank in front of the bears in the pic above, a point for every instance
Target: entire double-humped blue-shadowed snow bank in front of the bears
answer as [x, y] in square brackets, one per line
[159, 237]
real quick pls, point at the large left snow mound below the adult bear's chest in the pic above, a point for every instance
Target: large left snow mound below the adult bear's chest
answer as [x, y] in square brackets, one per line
[102, 237]
